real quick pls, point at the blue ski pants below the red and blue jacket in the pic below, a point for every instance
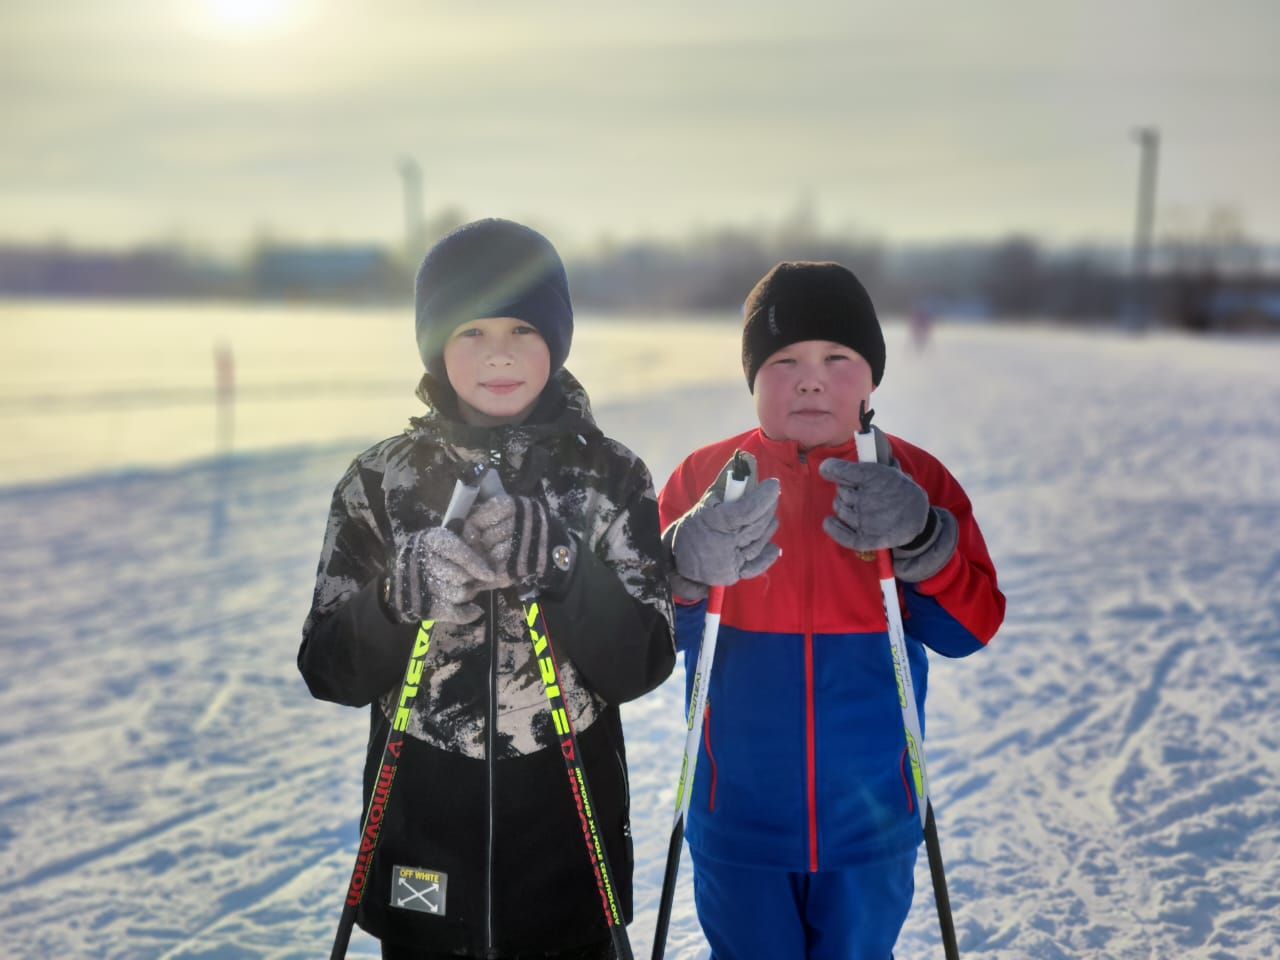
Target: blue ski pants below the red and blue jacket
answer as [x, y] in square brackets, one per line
[764, 915]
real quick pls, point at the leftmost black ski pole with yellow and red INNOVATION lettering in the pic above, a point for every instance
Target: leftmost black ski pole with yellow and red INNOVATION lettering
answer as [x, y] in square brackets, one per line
[460, 504]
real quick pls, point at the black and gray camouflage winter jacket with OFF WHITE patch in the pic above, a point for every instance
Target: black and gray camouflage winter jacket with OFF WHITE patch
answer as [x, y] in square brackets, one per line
[482, 796]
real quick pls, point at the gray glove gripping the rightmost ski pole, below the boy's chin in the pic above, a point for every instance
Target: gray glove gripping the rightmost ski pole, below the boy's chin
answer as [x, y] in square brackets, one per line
[880, 508]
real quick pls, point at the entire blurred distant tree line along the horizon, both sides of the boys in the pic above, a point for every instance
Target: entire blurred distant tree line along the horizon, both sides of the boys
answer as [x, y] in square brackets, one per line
[1209, 282]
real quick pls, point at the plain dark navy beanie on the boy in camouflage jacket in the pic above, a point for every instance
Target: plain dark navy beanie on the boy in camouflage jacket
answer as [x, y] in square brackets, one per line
[492, 268]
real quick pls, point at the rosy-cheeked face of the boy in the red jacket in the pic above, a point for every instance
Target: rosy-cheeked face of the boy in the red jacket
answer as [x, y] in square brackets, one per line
[811, 392]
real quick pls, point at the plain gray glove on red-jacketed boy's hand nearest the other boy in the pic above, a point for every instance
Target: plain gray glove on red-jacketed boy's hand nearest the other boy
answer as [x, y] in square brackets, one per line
[717, 543]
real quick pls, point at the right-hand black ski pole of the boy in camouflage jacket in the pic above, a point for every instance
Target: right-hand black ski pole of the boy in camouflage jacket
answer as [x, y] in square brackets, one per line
[577, 770]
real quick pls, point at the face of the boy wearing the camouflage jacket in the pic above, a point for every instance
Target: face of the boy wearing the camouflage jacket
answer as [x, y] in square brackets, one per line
[499, 368]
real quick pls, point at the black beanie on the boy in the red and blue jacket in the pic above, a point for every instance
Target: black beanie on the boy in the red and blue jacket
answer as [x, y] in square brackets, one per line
[810, 301]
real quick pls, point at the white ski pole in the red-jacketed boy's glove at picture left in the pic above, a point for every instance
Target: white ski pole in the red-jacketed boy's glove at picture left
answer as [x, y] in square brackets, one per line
[734, 487]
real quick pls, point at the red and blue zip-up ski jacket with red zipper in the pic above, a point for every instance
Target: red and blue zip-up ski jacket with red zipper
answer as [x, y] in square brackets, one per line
[803, 762]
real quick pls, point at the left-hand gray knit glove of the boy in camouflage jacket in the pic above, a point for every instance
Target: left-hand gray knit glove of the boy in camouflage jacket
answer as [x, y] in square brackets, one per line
[436, 577]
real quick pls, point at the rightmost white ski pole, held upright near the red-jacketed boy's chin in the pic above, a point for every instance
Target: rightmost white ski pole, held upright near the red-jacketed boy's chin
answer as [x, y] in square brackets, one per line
[866, 444]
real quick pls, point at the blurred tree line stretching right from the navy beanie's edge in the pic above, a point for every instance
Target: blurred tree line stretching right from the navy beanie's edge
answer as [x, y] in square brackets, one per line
[1016, 278]
